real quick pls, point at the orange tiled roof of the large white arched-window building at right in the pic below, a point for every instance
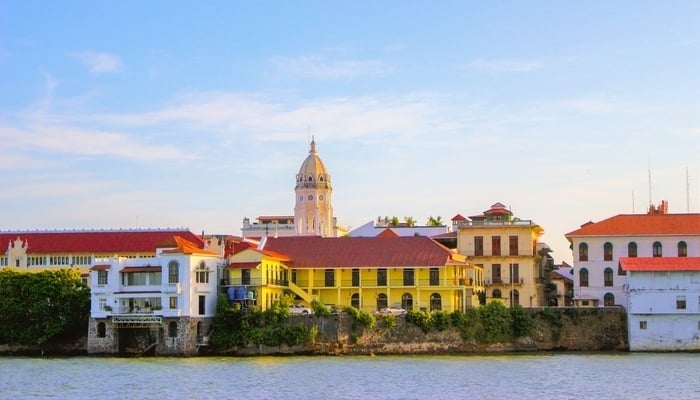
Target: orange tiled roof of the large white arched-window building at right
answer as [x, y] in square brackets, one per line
[642, 224]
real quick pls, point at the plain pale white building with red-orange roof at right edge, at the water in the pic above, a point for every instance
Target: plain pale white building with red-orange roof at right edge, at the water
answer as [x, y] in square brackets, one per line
[663, 309]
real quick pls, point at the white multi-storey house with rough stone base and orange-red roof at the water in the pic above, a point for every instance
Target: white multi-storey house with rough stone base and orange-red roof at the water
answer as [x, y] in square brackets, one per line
[160, 305]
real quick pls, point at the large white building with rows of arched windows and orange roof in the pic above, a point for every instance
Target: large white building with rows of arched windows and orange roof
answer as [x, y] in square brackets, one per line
[597, 248]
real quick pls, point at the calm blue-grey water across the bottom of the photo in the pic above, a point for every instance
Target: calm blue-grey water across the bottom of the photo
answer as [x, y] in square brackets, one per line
[560, 376]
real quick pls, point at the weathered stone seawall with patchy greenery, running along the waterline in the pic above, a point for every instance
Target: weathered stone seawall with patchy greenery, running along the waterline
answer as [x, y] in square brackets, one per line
[555, 329]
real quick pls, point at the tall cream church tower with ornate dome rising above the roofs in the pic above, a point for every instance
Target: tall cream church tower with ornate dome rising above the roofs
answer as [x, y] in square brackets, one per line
[313, 212]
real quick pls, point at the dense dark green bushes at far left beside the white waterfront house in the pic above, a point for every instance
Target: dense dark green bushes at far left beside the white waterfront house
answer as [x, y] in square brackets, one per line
[43, 308]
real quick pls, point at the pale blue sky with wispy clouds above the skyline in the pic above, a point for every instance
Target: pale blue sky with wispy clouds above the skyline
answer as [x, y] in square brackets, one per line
[157, 114]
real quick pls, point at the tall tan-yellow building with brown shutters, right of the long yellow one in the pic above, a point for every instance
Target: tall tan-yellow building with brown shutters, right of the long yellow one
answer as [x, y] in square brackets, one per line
[506, 249]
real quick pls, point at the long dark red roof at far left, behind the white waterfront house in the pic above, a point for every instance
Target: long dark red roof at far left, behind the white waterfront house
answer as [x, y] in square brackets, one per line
[126, 241]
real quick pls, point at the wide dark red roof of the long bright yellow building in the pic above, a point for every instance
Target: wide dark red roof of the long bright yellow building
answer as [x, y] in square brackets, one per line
[361, 252]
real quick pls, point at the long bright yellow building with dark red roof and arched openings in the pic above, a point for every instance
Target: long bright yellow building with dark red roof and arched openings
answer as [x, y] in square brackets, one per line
[414, 273]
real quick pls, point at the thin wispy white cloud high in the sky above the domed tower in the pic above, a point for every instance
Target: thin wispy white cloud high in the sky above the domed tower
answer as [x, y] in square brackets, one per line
[321, 68]
